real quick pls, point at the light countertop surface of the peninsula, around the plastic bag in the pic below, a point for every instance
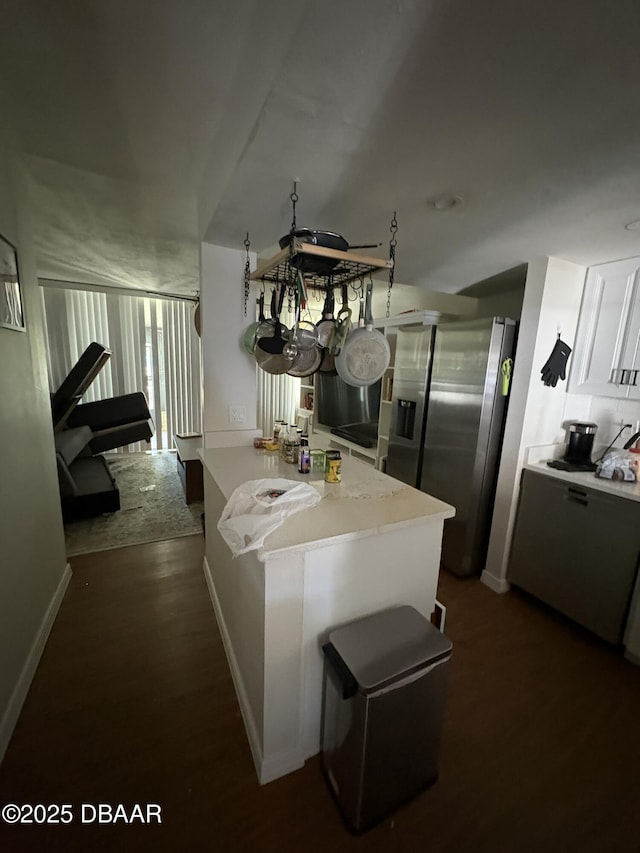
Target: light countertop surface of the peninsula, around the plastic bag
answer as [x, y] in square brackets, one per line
[366, 502]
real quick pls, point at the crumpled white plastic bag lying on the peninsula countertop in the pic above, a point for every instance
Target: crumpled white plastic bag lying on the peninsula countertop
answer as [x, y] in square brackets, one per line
[259, 506]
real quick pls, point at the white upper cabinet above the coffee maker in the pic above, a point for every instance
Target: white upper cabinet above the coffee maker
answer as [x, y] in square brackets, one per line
[606, 357]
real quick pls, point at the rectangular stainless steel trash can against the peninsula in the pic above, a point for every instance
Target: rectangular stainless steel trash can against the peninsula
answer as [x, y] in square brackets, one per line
[384, 694]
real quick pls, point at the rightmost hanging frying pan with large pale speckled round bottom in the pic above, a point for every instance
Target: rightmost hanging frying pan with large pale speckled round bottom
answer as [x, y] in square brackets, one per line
[366, 354]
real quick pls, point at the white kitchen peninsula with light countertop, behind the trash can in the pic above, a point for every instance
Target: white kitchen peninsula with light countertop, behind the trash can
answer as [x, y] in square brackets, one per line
[371, 542]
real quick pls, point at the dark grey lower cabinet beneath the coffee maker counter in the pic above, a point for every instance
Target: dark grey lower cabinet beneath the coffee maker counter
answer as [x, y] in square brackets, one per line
[577, 549]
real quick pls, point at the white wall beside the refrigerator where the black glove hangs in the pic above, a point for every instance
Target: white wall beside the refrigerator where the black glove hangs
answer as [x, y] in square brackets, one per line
[553, 293]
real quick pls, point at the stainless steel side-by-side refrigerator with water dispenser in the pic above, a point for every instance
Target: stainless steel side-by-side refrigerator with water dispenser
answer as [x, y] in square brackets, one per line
[448, 410]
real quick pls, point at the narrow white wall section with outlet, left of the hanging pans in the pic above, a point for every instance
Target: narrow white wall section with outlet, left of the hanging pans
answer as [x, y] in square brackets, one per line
[229, 373]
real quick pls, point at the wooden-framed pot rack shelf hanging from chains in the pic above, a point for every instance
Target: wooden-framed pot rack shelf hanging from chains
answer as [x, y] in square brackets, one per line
[351, 267]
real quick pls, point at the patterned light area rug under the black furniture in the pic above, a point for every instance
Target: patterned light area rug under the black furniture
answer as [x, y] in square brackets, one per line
[152, 506]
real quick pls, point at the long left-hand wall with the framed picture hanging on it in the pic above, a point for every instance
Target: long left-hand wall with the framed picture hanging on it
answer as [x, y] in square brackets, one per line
[33, 568]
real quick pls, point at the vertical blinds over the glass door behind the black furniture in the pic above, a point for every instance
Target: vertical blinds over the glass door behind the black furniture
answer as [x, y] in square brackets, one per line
[154, 349]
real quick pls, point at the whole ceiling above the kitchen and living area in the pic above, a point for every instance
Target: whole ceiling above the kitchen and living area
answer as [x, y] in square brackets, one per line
[152, 124]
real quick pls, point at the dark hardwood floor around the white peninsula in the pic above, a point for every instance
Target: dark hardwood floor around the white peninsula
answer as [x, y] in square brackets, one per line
[133, 703]
